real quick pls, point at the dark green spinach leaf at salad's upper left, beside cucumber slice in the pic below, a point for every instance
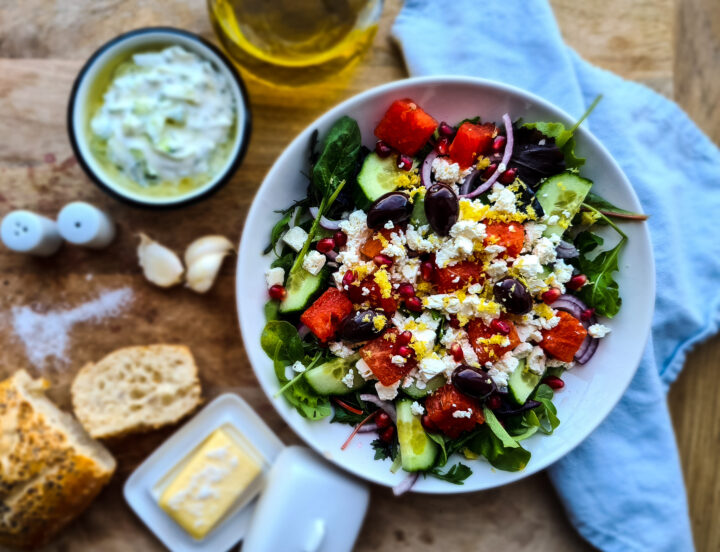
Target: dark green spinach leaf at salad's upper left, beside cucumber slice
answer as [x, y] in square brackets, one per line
[337, 161]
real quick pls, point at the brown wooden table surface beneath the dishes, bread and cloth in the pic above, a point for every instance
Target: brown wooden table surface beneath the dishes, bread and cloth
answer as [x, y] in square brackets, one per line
[673, 46]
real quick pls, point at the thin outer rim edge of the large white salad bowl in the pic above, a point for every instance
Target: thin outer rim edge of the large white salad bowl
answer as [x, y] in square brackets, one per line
[447, 80]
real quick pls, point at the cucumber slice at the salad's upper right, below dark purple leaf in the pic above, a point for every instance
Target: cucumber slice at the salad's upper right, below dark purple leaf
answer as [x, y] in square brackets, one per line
[562, 195]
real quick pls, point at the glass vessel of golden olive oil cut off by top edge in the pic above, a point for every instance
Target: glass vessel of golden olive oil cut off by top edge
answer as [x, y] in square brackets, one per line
[295, 42]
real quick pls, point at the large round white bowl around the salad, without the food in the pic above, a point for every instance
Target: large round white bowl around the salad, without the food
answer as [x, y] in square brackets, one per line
[591, 391]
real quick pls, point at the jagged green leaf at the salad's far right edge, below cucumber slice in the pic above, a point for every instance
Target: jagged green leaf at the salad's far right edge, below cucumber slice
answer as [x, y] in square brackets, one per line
[602, 292]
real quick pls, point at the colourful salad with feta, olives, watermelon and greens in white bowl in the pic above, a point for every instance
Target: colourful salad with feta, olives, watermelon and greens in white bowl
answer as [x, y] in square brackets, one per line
[434, 290]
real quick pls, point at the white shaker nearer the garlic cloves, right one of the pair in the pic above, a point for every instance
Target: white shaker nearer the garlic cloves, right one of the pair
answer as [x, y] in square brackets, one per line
[83, 224]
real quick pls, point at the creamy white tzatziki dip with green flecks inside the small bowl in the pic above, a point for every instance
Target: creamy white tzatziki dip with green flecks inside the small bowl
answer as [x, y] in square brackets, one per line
[166, 122]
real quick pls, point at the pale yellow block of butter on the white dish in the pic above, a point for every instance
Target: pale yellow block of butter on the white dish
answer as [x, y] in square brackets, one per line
[203, 491]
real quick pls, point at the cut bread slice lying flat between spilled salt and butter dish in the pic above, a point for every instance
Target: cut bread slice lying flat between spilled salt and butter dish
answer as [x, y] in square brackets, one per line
[136, 389]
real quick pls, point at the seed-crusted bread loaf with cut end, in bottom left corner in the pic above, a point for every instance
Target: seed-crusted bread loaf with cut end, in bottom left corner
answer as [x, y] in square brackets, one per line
[50, 468]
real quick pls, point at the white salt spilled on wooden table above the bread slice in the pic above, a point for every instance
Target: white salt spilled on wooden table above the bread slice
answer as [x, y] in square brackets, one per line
[47, 334]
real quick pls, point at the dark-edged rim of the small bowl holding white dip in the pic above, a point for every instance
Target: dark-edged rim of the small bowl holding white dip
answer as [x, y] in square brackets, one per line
[243, 134]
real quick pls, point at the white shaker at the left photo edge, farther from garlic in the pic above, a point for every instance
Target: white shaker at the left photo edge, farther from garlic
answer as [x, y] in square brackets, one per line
[27, 232]
